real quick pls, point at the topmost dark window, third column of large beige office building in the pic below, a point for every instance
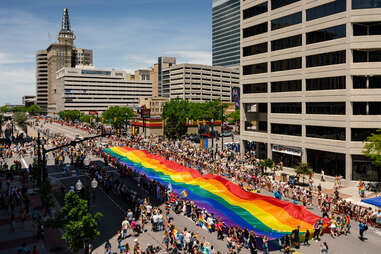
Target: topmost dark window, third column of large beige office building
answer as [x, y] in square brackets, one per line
[326, 9]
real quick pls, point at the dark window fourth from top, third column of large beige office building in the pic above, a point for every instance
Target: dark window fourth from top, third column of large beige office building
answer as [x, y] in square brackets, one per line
[330, 83]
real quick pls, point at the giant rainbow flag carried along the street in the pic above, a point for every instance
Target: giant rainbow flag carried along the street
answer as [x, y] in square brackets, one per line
[266, 215]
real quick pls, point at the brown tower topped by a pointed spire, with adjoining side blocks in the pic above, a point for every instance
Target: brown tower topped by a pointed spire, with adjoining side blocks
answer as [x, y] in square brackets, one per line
[59, 55]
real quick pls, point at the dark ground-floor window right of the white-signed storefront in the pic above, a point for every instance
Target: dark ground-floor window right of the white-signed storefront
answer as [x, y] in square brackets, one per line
[333, 164]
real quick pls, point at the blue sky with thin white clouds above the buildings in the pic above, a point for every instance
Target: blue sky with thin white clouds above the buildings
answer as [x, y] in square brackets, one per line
[125, 34]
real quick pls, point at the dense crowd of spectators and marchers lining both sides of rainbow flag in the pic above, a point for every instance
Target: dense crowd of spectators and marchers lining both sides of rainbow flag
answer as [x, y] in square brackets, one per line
[242, 169]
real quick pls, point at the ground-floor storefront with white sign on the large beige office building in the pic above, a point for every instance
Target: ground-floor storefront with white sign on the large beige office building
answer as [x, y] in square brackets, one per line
[290, 156]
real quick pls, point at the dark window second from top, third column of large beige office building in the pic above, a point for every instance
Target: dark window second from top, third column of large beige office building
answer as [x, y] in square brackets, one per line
[330, 33]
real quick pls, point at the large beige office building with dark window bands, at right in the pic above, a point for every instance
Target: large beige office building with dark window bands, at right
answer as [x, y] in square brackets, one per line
[311, 82]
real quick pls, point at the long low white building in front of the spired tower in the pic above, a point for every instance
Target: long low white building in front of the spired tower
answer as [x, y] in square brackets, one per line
[94, 90]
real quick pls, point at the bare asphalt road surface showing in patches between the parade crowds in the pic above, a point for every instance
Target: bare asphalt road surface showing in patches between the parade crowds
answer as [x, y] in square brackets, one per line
[114, 209]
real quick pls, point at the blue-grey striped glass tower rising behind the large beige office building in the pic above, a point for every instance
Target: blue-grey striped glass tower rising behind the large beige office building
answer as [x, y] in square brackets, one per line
[226, 32]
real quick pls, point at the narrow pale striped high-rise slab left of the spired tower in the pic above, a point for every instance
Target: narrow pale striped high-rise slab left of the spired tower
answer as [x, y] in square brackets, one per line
[42, 80]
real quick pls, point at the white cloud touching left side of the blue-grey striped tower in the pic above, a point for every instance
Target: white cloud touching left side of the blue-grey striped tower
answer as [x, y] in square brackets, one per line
[192, 56]
